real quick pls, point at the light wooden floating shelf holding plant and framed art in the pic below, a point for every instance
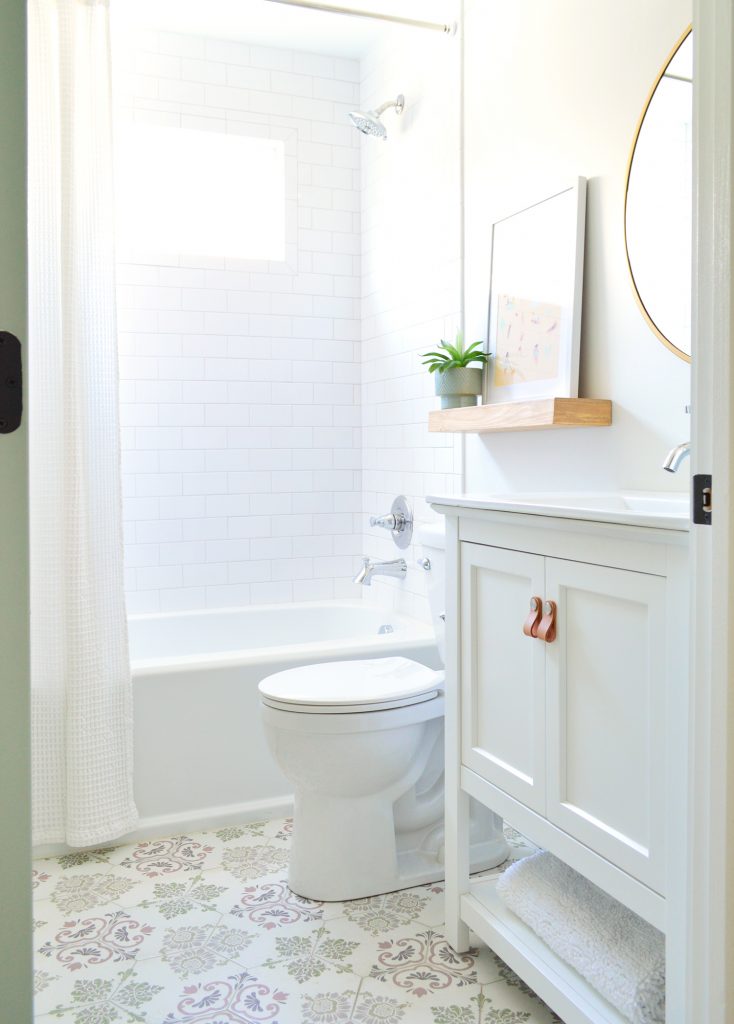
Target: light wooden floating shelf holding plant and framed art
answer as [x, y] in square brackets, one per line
[540, 414]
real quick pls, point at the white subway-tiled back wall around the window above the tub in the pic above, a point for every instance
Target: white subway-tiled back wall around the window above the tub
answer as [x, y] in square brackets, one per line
[240, 379]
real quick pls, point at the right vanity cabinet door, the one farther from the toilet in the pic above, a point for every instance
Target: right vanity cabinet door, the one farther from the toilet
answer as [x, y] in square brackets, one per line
[607, 714]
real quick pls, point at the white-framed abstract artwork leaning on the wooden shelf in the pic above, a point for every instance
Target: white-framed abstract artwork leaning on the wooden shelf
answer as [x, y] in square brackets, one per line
[536, 300]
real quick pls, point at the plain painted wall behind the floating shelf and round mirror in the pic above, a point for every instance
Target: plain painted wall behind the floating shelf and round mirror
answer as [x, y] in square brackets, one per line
[554, 92]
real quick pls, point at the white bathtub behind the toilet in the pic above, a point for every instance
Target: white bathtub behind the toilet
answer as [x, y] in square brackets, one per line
[201, 757]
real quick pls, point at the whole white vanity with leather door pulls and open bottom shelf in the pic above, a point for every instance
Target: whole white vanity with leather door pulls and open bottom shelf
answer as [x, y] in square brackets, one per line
[572, 724]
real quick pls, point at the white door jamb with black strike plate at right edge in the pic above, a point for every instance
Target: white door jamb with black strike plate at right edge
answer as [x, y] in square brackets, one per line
[711, 901]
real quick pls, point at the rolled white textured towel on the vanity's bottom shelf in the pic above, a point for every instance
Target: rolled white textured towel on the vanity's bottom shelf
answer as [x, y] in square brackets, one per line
[618, 953]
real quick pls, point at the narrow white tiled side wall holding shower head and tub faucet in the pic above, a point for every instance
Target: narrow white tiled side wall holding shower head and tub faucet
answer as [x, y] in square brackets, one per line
[411, 288]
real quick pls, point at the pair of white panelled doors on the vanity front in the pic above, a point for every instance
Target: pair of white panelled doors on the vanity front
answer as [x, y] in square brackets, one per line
[572, 729]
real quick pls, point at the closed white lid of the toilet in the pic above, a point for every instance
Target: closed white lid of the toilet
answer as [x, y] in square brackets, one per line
[372, 682]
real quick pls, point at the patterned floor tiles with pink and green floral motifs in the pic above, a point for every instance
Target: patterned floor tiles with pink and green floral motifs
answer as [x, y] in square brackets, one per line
[203, 928]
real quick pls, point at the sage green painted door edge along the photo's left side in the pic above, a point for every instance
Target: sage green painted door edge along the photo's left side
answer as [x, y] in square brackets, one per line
[16, 963]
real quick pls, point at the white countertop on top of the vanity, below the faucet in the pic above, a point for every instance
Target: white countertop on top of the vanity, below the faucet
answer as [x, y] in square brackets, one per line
[657, 510]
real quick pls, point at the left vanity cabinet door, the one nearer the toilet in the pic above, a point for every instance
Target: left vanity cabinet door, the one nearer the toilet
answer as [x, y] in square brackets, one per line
[503, 686]
